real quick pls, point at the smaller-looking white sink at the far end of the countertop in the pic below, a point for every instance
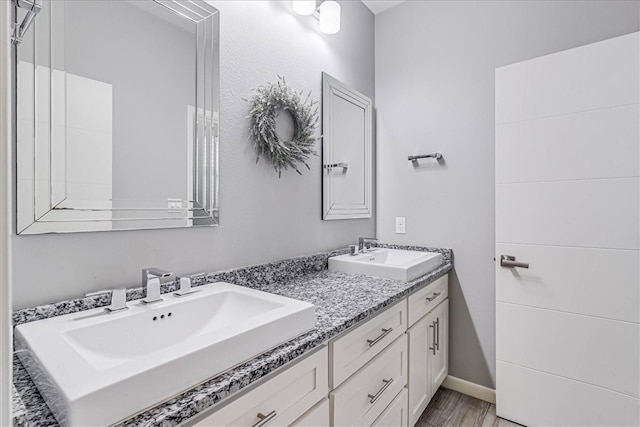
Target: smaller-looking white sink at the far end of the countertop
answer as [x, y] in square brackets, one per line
[396, 264]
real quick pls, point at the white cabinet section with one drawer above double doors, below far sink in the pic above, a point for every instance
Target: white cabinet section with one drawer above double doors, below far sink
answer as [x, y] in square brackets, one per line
[428, 345]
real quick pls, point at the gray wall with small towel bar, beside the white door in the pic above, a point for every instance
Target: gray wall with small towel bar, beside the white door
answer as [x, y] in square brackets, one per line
[435, 66]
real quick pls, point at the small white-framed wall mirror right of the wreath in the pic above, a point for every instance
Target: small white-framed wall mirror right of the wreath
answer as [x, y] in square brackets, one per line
[347, 117]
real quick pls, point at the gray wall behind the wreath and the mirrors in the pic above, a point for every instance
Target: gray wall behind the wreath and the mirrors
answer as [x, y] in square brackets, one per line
[263, 218]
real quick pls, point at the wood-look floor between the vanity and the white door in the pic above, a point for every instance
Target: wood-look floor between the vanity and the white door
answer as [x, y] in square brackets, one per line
[452, 409]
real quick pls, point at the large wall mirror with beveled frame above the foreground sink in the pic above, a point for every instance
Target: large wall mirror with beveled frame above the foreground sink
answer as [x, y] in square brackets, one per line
[117, 116]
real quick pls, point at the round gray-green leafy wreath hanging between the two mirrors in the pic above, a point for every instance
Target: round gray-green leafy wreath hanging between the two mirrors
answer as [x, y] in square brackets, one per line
[267, 100]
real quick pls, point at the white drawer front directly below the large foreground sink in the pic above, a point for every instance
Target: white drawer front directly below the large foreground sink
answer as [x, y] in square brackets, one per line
[282, 399]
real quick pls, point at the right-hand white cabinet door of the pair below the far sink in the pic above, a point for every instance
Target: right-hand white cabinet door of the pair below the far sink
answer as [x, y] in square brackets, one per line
[439, 334]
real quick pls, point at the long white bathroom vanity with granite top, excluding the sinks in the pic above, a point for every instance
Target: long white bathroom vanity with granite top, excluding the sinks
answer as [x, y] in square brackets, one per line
[353, 368]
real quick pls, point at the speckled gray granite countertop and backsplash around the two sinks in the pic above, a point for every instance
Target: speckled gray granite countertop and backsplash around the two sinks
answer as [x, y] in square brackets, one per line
[341, 301]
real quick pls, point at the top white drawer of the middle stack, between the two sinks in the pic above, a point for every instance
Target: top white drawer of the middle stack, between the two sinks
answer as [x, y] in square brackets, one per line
[351, 351]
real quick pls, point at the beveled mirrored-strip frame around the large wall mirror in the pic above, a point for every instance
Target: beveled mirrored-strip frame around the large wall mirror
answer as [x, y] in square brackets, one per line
[49, 215]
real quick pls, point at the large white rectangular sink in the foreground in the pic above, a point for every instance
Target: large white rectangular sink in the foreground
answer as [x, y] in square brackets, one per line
[94, 368]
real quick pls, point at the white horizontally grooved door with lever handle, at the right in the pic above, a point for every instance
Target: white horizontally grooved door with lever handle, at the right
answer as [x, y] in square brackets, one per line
[567, 203]
